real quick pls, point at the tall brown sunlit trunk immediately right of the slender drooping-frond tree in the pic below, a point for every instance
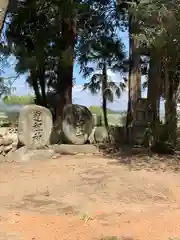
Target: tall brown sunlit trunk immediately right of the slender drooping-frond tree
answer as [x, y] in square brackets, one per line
[128, 9]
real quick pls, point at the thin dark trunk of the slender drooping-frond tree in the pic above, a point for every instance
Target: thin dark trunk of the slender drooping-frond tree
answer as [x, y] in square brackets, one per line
[104, 101]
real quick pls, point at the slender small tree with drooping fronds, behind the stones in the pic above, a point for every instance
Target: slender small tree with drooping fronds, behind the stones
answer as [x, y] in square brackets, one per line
[106, 53]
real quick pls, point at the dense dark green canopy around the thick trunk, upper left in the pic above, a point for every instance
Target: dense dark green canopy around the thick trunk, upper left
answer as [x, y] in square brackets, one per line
[42, 36]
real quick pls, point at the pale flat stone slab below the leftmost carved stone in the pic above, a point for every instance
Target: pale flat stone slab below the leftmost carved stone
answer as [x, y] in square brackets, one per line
[24, 154]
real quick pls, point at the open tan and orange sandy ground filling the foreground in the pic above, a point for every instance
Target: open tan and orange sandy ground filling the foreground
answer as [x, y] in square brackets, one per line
[84, 198]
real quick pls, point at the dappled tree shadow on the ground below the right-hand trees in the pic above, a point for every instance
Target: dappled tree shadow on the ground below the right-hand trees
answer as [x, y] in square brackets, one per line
[140, 158]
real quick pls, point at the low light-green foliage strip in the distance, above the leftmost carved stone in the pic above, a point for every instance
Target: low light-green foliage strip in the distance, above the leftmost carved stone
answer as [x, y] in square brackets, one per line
[19, 100]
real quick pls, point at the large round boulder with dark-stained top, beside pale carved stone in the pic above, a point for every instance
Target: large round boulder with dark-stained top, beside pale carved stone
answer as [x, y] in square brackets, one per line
[77, 123]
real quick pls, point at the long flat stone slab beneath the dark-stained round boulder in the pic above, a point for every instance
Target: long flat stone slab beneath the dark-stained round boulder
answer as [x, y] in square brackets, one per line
[75, 149]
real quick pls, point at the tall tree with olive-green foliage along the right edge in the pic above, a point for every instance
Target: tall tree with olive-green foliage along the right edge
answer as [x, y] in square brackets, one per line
[159, 33]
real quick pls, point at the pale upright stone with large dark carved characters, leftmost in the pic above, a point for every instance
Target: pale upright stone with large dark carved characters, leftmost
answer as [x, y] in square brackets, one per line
[34, 126]
